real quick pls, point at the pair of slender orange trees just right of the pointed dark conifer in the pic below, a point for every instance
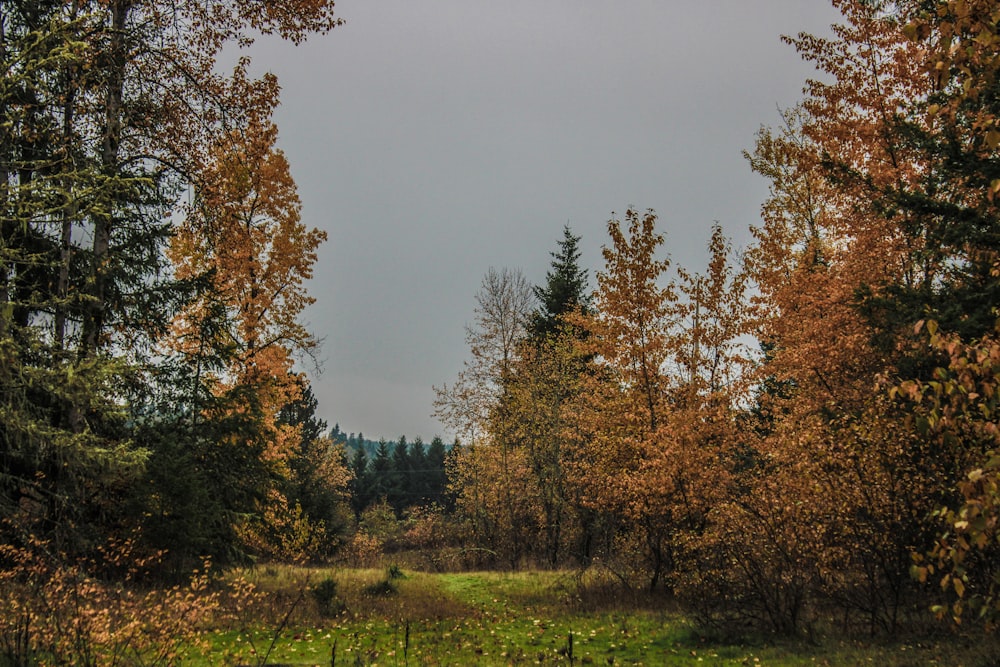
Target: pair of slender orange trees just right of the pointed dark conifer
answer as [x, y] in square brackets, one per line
[654, 419]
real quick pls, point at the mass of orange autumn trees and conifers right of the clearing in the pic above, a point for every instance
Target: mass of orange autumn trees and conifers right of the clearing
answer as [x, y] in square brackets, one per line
[844, 469]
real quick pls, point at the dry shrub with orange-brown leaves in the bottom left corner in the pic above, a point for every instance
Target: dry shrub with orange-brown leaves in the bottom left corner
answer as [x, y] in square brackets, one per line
[57, 613]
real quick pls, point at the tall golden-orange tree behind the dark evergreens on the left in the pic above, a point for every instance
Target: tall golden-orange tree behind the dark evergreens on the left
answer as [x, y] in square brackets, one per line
[243, 235]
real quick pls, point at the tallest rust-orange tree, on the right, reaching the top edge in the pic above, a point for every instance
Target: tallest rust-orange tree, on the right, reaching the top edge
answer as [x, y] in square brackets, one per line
[876, 217]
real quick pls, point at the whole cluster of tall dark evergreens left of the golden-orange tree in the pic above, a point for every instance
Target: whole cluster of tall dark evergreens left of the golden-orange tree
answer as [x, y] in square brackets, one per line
[109, 111]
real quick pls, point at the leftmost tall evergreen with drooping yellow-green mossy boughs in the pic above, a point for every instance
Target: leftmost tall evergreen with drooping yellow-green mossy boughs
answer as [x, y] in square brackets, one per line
[69, 462]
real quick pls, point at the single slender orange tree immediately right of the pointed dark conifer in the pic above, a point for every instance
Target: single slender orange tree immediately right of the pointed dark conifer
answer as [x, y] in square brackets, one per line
[623, 403]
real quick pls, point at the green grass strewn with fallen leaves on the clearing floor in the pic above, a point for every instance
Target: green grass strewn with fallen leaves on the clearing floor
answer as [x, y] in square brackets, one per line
[487, 618]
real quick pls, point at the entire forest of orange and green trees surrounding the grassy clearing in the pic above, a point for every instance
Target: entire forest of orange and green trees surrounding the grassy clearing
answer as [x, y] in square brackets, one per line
[801, 432]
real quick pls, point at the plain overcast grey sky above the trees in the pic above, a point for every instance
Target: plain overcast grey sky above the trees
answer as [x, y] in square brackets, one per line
[433, 140]
